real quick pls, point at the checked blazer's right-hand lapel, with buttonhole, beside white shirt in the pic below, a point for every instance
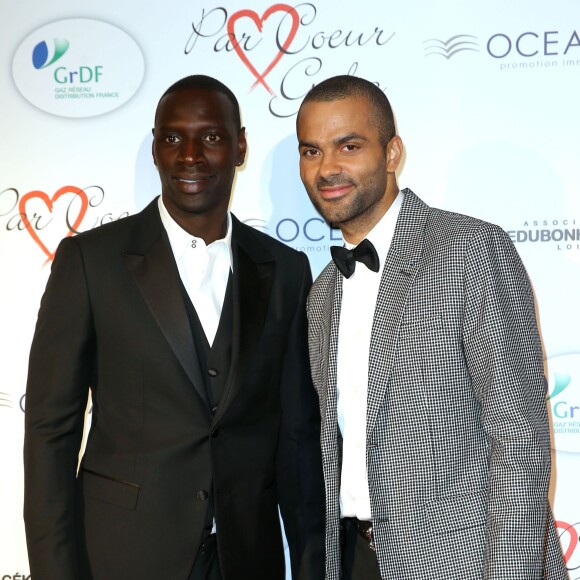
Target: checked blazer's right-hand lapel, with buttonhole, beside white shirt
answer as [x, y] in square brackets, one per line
[401, 266]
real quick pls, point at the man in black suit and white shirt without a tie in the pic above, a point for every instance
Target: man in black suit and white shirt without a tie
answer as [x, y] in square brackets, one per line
[189, 329]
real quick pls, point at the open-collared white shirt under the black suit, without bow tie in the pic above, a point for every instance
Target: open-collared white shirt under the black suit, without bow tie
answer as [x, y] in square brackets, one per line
[204, 270]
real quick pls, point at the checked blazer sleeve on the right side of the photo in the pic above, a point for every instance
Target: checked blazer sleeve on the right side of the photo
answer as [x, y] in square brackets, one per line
[504, 358]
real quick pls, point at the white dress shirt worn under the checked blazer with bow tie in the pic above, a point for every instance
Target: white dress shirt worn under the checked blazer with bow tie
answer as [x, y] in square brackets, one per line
[359, 297]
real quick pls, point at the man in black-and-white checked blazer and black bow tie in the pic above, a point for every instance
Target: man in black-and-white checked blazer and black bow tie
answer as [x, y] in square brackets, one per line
[457, 437]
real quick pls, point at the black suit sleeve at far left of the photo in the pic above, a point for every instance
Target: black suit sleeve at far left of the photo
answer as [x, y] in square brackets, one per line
[60, 372]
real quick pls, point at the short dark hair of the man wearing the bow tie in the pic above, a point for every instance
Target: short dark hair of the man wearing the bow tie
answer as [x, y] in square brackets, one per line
[345, 86]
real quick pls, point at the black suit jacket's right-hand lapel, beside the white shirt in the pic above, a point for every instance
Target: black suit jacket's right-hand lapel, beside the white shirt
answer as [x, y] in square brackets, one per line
[253, 268]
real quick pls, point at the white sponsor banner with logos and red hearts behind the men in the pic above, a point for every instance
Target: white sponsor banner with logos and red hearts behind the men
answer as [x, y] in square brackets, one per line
[486, 100]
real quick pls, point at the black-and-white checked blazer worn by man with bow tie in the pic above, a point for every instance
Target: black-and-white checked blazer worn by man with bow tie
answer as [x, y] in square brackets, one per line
[458, 447]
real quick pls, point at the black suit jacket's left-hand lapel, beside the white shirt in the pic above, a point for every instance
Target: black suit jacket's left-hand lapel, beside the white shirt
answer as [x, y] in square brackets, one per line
[154, 270]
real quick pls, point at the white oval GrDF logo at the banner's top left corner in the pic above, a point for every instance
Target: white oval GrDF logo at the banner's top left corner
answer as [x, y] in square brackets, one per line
[76, 71]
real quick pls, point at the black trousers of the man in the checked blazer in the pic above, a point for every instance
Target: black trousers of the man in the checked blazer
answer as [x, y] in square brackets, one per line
[359, 561]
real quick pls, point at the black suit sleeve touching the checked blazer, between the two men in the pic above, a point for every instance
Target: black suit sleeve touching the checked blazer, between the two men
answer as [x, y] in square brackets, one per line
[299, 463]
